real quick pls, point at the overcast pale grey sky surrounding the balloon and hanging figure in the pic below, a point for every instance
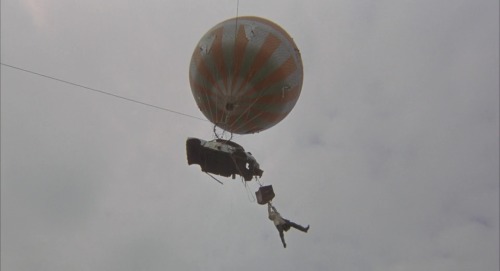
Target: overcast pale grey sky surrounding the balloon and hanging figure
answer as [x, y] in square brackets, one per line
[391, 153]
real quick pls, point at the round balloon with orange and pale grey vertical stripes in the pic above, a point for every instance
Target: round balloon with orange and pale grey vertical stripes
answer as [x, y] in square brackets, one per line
[246, 74]
